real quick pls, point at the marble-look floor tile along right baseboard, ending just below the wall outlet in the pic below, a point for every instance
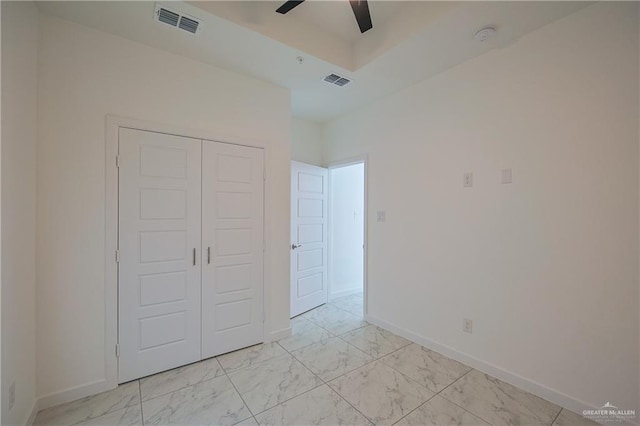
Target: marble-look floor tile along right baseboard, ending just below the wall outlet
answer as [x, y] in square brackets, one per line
[429, 368]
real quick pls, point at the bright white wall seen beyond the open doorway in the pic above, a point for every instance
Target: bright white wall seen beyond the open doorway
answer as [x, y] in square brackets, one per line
[347, 230]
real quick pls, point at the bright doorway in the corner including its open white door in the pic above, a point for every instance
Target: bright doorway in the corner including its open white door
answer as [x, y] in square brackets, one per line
[328, 222]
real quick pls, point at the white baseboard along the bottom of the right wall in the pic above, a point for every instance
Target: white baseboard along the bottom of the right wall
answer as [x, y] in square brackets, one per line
[559, 398]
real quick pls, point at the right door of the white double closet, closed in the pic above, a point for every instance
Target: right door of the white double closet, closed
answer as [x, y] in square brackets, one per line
[232, 243]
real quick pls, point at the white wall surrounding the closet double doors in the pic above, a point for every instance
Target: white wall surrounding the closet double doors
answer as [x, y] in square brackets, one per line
[85, 75]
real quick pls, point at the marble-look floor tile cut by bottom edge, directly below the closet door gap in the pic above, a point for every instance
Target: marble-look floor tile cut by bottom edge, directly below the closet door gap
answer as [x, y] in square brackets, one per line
[214, 402]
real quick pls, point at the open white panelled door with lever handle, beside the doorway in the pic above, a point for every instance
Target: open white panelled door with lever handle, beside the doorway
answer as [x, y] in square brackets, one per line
[309, 188]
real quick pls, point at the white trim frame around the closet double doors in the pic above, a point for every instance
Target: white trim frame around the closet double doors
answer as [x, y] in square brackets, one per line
[112, 124]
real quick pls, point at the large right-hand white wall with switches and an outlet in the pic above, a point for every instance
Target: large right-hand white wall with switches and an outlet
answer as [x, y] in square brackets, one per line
[547, 267]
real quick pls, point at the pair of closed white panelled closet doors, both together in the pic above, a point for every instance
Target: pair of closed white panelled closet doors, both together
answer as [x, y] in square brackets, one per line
[190, 250]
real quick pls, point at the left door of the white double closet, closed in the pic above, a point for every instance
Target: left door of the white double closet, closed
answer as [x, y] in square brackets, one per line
[159, 244]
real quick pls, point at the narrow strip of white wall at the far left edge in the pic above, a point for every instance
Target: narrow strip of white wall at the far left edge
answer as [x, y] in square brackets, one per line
[19, 108]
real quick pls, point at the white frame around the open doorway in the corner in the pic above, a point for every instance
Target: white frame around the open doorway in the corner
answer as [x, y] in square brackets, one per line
[349, 161]
